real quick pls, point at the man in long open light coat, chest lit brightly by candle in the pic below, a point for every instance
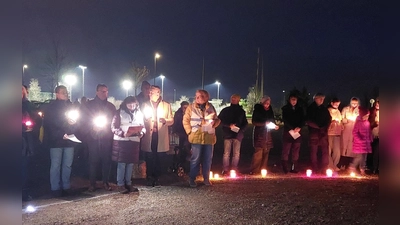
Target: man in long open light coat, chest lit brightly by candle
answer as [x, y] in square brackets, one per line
[157, 118]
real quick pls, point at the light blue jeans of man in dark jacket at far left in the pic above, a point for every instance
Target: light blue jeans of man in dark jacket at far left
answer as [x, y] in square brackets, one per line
[61, 161]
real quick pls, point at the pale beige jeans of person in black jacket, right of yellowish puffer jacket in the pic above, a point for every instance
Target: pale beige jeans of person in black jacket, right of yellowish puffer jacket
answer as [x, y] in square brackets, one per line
[230, 144]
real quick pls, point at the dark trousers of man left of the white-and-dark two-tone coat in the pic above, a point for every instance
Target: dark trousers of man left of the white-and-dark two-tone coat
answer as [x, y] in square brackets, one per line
[99, 151]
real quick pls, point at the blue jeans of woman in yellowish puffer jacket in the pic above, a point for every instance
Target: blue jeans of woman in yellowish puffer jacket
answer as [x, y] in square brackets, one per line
[205, 154]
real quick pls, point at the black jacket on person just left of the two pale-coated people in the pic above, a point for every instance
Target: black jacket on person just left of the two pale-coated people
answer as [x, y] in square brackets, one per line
[318, 120]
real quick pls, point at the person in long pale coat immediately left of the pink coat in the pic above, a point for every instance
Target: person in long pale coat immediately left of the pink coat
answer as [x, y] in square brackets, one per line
[349, 116]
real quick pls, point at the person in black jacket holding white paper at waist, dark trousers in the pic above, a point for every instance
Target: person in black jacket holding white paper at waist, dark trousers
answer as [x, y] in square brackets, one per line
[294, 119]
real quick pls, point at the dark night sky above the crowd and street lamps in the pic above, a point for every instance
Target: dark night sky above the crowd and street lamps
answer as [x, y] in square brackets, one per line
[327, 46]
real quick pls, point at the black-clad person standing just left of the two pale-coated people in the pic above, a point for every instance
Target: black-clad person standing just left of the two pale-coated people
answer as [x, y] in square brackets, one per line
[318, 121]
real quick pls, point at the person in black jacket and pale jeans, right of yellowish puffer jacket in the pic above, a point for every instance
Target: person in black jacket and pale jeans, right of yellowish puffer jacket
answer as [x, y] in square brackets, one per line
[234, 123]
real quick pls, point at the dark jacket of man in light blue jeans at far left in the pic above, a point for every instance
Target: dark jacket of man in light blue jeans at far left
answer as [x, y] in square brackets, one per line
[55, 124]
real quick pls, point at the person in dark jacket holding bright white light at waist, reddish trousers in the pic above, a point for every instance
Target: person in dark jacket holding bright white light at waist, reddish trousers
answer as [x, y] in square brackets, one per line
[264, 122]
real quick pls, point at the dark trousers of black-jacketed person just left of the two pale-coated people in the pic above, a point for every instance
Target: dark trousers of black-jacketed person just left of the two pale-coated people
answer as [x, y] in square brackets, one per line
[319, 142]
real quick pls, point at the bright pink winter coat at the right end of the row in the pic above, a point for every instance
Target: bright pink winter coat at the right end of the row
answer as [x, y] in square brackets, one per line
[362, 136]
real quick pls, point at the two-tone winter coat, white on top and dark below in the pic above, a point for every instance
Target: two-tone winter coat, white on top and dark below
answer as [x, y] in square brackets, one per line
[123, 151]
